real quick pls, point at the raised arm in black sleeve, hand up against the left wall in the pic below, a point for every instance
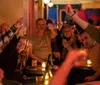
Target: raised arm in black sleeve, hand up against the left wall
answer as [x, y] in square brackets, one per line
[14, 41]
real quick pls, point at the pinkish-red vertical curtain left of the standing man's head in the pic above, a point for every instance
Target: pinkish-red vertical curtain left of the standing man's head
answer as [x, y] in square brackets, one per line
[29, 16]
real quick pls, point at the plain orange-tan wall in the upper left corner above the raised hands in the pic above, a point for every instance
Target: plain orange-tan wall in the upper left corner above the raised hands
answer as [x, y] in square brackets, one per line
[10, 11]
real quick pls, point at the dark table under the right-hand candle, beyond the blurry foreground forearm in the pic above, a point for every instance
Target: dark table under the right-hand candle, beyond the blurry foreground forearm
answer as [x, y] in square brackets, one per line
[77, 75]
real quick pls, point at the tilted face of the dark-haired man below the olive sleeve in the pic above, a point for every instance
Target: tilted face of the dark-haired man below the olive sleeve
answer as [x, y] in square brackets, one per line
[86, 40]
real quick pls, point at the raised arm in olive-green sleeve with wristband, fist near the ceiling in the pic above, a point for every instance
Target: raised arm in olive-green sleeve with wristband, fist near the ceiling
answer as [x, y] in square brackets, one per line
[90, 29]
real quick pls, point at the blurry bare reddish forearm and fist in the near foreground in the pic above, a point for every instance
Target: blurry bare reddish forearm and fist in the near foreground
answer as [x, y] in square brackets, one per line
[61, 75]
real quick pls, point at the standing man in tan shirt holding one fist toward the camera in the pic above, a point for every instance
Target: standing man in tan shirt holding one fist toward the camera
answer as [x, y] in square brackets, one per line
[41, 40]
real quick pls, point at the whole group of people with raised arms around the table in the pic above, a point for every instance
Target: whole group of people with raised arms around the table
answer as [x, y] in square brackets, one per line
[66, 46]
